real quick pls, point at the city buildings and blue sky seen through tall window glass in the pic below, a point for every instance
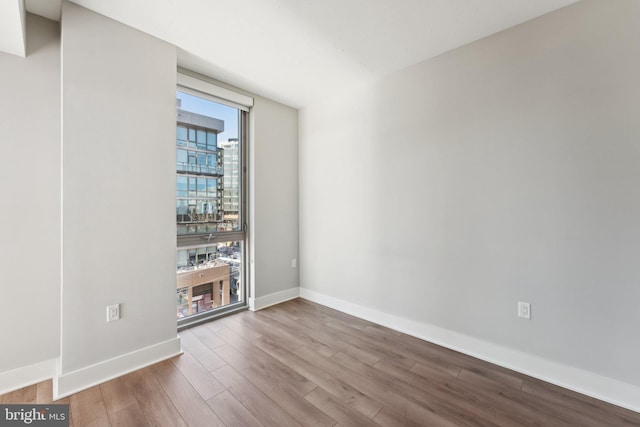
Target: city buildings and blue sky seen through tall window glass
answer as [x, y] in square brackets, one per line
[208, 205]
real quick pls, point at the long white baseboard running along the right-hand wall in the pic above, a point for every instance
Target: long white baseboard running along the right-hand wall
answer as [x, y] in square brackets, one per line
[581, 381]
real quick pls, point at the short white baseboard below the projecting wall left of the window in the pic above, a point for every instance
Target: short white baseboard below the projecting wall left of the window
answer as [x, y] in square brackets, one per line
[73, 382]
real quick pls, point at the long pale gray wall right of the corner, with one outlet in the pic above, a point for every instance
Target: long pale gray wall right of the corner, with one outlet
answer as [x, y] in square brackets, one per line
[504, 171]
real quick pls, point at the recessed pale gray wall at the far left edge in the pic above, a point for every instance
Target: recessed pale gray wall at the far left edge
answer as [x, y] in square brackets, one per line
[30, 213]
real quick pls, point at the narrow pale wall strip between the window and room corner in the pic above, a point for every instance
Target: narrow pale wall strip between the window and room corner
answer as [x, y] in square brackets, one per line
[275, 197]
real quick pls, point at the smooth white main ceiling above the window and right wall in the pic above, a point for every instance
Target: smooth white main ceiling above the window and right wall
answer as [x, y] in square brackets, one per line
[294, 51]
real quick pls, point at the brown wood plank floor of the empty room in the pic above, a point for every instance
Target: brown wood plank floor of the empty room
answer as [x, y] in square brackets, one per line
[302, 364]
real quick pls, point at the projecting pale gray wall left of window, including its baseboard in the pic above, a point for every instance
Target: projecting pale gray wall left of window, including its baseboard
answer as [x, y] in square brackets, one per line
[119, 199]
